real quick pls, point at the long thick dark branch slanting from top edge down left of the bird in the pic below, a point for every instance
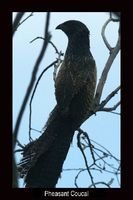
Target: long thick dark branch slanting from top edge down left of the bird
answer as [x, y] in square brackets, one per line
[32, 81]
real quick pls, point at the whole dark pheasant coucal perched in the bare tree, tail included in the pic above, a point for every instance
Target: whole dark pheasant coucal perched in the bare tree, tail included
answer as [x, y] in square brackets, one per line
[43, 158]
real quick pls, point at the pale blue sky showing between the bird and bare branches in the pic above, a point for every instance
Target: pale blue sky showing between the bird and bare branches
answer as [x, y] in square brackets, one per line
[104, 128]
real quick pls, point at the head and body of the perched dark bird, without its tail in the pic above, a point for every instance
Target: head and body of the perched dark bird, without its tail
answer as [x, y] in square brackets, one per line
[76, 80]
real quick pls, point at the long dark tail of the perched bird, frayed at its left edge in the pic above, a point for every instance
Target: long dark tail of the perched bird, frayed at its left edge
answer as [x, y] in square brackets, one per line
[43, 159]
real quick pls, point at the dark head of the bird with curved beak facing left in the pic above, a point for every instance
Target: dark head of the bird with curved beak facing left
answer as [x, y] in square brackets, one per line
[72, 27]
